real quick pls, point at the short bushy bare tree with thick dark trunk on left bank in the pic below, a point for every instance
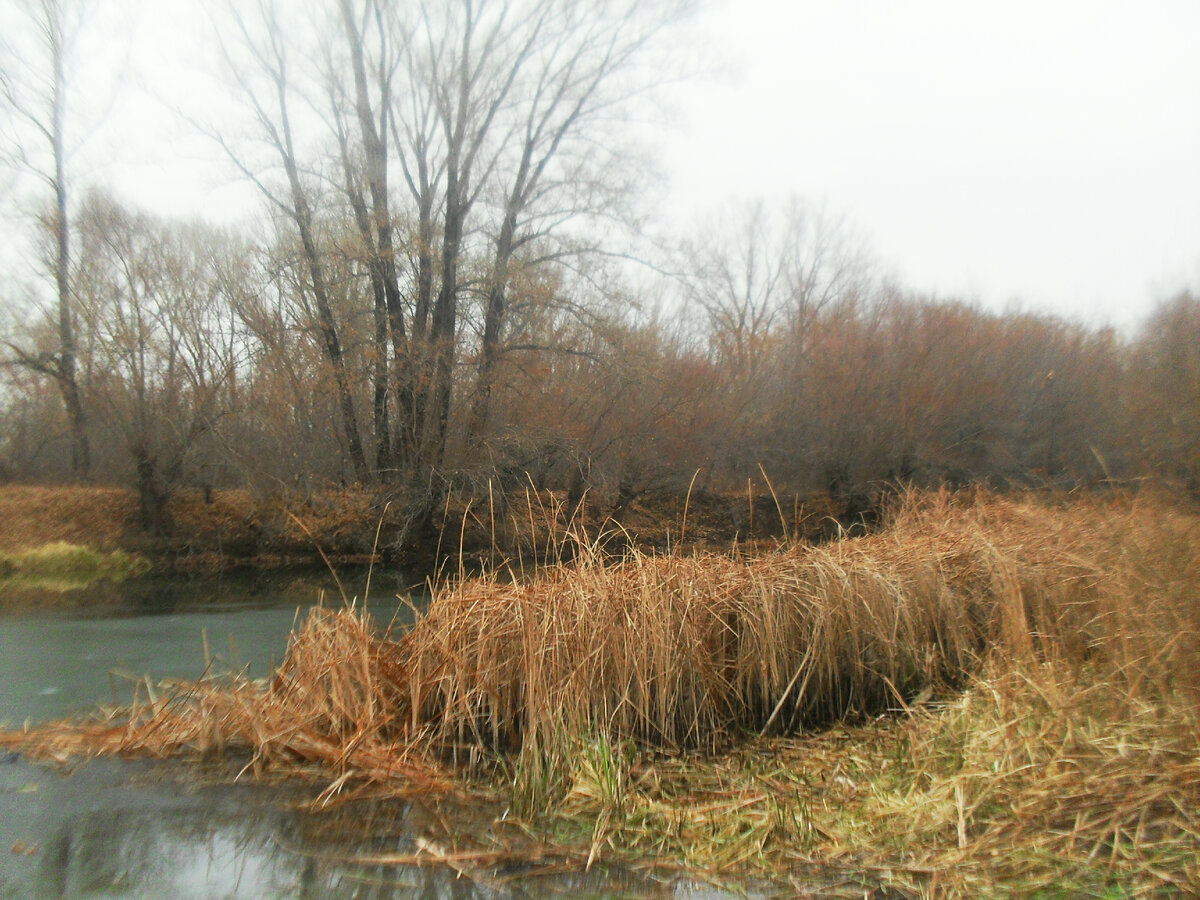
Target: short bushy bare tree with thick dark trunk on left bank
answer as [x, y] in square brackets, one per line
[155, 302]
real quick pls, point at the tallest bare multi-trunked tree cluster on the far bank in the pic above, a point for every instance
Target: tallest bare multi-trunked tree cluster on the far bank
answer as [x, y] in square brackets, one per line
[491, 119]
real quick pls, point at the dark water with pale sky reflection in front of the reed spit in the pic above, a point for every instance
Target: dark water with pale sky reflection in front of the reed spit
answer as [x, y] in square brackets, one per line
[119, 830]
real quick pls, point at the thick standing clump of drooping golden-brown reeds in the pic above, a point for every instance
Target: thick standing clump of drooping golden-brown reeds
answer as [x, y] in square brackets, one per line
[689, 651]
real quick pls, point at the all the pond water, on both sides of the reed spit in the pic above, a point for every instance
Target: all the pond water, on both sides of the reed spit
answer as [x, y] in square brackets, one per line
[111, 829]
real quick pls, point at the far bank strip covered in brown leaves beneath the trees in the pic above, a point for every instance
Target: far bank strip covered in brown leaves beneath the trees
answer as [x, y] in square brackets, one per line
[219, 531]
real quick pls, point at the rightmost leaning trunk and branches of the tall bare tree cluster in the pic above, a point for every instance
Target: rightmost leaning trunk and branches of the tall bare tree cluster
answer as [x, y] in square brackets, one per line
[575, 83]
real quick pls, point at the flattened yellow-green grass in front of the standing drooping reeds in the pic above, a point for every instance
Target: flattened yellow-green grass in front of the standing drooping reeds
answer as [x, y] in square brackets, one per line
[998, 794]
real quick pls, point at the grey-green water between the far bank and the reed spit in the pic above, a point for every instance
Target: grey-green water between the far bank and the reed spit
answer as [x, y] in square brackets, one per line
[64, 662]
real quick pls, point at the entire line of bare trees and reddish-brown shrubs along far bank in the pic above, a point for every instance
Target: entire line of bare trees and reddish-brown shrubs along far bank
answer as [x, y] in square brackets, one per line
[440, 298]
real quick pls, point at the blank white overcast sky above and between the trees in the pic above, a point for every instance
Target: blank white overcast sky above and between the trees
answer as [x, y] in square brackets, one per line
[1036, 154]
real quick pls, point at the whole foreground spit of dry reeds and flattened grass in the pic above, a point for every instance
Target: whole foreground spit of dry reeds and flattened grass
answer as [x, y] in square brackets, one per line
[1011, 687]
